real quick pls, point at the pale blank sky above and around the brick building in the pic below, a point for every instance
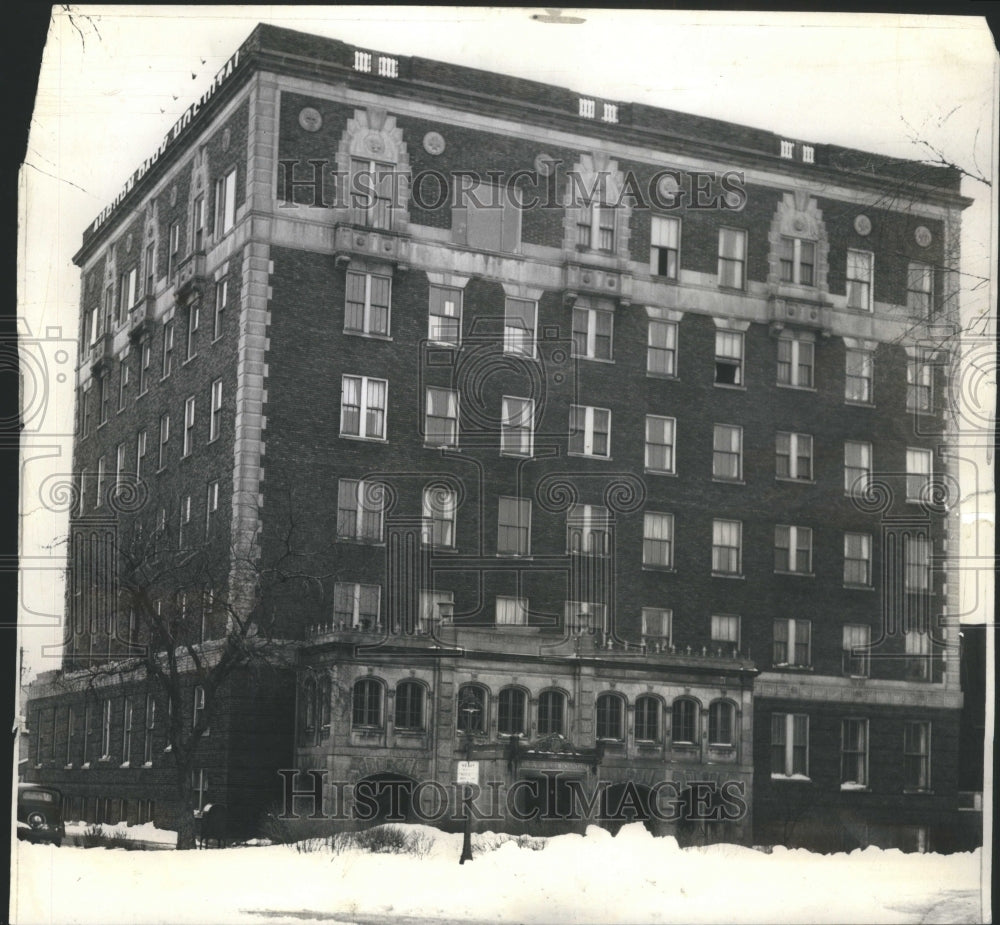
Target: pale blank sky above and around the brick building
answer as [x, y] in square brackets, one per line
[115, 79]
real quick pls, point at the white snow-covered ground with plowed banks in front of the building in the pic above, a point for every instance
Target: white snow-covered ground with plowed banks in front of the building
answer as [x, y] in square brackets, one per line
[632, 877]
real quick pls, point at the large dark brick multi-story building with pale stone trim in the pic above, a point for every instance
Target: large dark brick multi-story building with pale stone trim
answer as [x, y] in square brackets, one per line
[612, 436]
